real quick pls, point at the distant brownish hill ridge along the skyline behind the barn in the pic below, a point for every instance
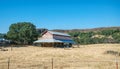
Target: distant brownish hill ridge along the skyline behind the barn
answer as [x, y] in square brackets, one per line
[86, 30]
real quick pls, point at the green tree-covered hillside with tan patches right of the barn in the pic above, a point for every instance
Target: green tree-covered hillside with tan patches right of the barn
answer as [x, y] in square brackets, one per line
[95, 37]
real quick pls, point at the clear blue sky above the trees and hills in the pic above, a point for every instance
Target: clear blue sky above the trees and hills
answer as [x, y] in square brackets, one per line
[60, 14]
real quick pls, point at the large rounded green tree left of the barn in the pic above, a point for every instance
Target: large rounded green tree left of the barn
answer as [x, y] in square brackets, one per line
[22, 33]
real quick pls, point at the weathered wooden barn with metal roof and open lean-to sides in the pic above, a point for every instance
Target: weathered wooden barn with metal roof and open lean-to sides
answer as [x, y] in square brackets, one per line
[54, 39]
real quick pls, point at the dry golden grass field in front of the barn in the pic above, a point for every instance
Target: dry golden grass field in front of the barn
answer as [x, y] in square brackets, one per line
[95, 56]
